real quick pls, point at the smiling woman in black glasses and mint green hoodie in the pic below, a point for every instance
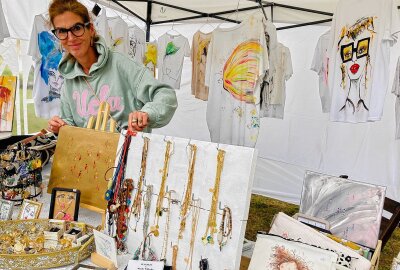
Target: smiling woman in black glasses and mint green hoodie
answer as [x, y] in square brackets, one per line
[94, 74]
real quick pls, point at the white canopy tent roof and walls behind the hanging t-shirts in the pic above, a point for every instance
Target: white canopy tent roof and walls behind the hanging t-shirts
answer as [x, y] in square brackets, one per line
[305, 138]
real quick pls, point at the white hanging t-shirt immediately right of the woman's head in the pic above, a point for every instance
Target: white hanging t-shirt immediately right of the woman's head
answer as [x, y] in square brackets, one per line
[118, 37]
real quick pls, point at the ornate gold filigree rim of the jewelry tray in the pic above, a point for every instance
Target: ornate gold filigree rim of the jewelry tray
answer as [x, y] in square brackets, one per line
[71, 255]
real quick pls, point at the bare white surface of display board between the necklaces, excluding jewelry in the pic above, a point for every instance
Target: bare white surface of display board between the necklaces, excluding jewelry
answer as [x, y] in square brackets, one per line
[235, 191]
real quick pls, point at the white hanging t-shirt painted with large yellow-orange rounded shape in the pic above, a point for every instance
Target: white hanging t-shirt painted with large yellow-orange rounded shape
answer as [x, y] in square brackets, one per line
[237, 58]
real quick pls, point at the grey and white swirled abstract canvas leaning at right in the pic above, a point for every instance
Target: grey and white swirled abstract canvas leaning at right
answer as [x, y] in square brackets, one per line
[353, 209]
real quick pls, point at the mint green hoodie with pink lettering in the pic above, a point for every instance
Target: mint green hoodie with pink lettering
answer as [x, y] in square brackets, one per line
[126, 85]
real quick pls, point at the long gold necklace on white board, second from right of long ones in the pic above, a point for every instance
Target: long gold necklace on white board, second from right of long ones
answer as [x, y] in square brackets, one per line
[188, 195]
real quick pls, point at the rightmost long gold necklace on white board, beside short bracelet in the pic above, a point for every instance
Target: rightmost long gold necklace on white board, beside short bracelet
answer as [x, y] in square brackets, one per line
[212, 216]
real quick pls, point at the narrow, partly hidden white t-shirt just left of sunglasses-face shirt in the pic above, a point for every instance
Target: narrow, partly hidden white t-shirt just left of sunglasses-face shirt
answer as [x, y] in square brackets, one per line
[320, 65]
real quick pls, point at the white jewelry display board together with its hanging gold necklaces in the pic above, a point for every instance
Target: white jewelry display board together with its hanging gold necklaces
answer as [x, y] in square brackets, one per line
[234, 183]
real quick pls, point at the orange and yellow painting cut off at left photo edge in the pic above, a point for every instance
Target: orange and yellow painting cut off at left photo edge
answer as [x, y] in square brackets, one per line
[7, 97]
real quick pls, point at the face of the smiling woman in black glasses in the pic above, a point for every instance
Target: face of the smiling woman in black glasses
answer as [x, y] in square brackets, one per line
[78, 47]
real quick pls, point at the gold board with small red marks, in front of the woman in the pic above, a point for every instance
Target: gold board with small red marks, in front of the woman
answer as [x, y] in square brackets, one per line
[81, 161]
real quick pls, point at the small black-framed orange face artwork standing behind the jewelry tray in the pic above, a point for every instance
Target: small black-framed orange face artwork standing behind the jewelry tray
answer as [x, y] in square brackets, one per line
[64, 204]
